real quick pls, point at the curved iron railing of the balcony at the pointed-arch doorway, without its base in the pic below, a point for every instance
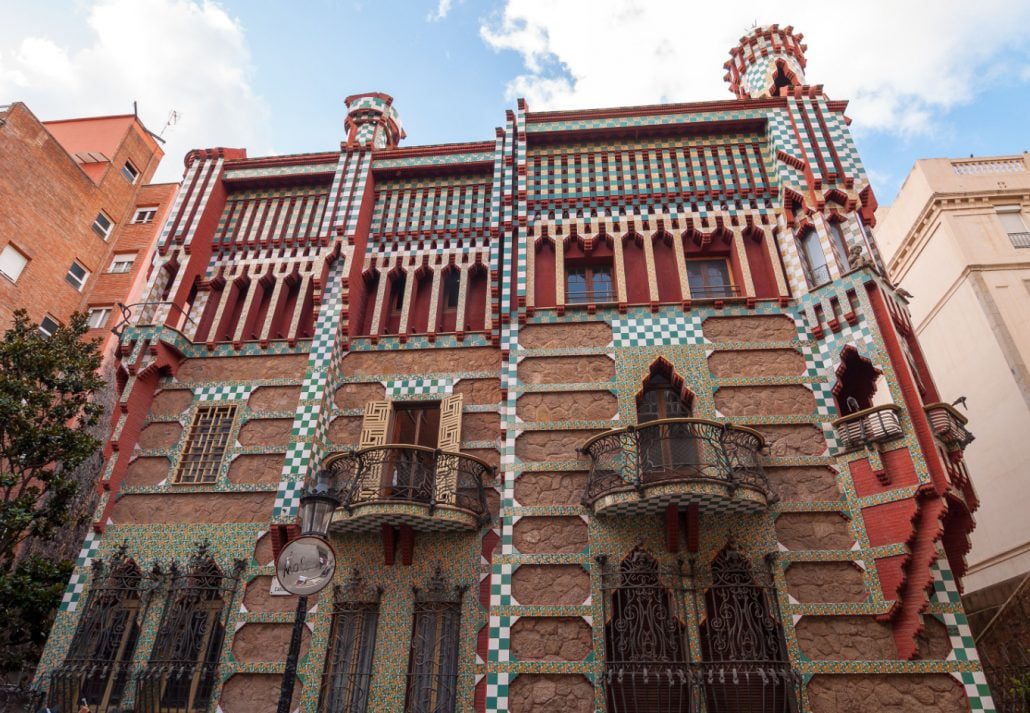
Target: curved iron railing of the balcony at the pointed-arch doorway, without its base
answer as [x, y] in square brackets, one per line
[675, 450]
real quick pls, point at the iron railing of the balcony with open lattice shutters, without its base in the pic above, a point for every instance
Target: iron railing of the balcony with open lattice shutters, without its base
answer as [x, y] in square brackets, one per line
[414, 474]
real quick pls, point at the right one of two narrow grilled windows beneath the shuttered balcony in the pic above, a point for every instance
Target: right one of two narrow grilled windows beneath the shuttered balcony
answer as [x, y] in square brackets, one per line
[433, 663]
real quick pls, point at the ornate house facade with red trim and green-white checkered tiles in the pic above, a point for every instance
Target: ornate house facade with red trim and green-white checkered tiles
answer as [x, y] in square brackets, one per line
[627, 420]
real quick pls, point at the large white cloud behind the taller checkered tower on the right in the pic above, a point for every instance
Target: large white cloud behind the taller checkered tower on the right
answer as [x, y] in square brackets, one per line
[901, 64]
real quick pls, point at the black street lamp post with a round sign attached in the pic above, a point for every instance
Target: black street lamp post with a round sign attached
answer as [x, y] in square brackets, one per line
[305, 566]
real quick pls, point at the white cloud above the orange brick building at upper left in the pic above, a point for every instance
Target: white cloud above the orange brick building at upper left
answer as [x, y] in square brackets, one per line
[188, 56]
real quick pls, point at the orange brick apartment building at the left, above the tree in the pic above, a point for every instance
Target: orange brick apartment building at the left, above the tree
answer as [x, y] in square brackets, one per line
[80, 221]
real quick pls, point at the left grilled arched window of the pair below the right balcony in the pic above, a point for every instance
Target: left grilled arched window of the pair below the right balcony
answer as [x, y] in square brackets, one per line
[646, 646]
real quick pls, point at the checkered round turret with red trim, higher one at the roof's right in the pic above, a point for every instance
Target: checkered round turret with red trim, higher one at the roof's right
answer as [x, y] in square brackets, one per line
[766, 61]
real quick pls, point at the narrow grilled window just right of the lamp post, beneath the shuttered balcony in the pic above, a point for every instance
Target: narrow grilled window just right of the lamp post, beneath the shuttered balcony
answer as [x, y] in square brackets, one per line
[348, 675]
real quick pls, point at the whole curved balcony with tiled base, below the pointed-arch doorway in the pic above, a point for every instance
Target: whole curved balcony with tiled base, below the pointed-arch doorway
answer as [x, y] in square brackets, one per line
[643, 469]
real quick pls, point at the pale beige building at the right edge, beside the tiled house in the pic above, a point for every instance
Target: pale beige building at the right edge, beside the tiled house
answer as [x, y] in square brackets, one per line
[958, 240]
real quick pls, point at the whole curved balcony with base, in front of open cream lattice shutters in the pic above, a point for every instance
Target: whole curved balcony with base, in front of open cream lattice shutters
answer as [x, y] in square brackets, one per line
[428, 489]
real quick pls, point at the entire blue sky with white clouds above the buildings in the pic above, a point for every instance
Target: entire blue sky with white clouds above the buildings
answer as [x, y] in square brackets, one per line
[943, 79]
